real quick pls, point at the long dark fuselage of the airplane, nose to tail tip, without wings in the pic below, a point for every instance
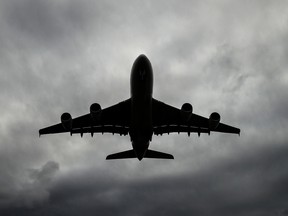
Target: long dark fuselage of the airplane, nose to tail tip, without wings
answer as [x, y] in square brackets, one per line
[141, 82]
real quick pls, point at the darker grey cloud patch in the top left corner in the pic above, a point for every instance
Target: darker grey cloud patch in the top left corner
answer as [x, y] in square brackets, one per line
[48, 23]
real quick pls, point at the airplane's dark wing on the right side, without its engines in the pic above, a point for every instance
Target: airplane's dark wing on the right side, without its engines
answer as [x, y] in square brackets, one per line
[167, 119]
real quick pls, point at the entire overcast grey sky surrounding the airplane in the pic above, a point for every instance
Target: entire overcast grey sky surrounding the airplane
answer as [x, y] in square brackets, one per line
[224, 56]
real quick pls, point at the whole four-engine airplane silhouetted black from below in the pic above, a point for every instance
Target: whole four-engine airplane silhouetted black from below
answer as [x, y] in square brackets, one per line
[141, 116]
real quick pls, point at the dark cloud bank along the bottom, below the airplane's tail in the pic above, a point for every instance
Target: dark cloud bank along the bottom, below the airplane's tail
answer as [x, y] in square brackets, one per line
[243, 186]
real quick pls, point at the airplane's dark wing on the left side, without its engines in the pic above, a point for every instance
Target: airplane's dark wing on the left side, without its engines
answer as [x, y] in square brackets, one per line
[114, 119]
